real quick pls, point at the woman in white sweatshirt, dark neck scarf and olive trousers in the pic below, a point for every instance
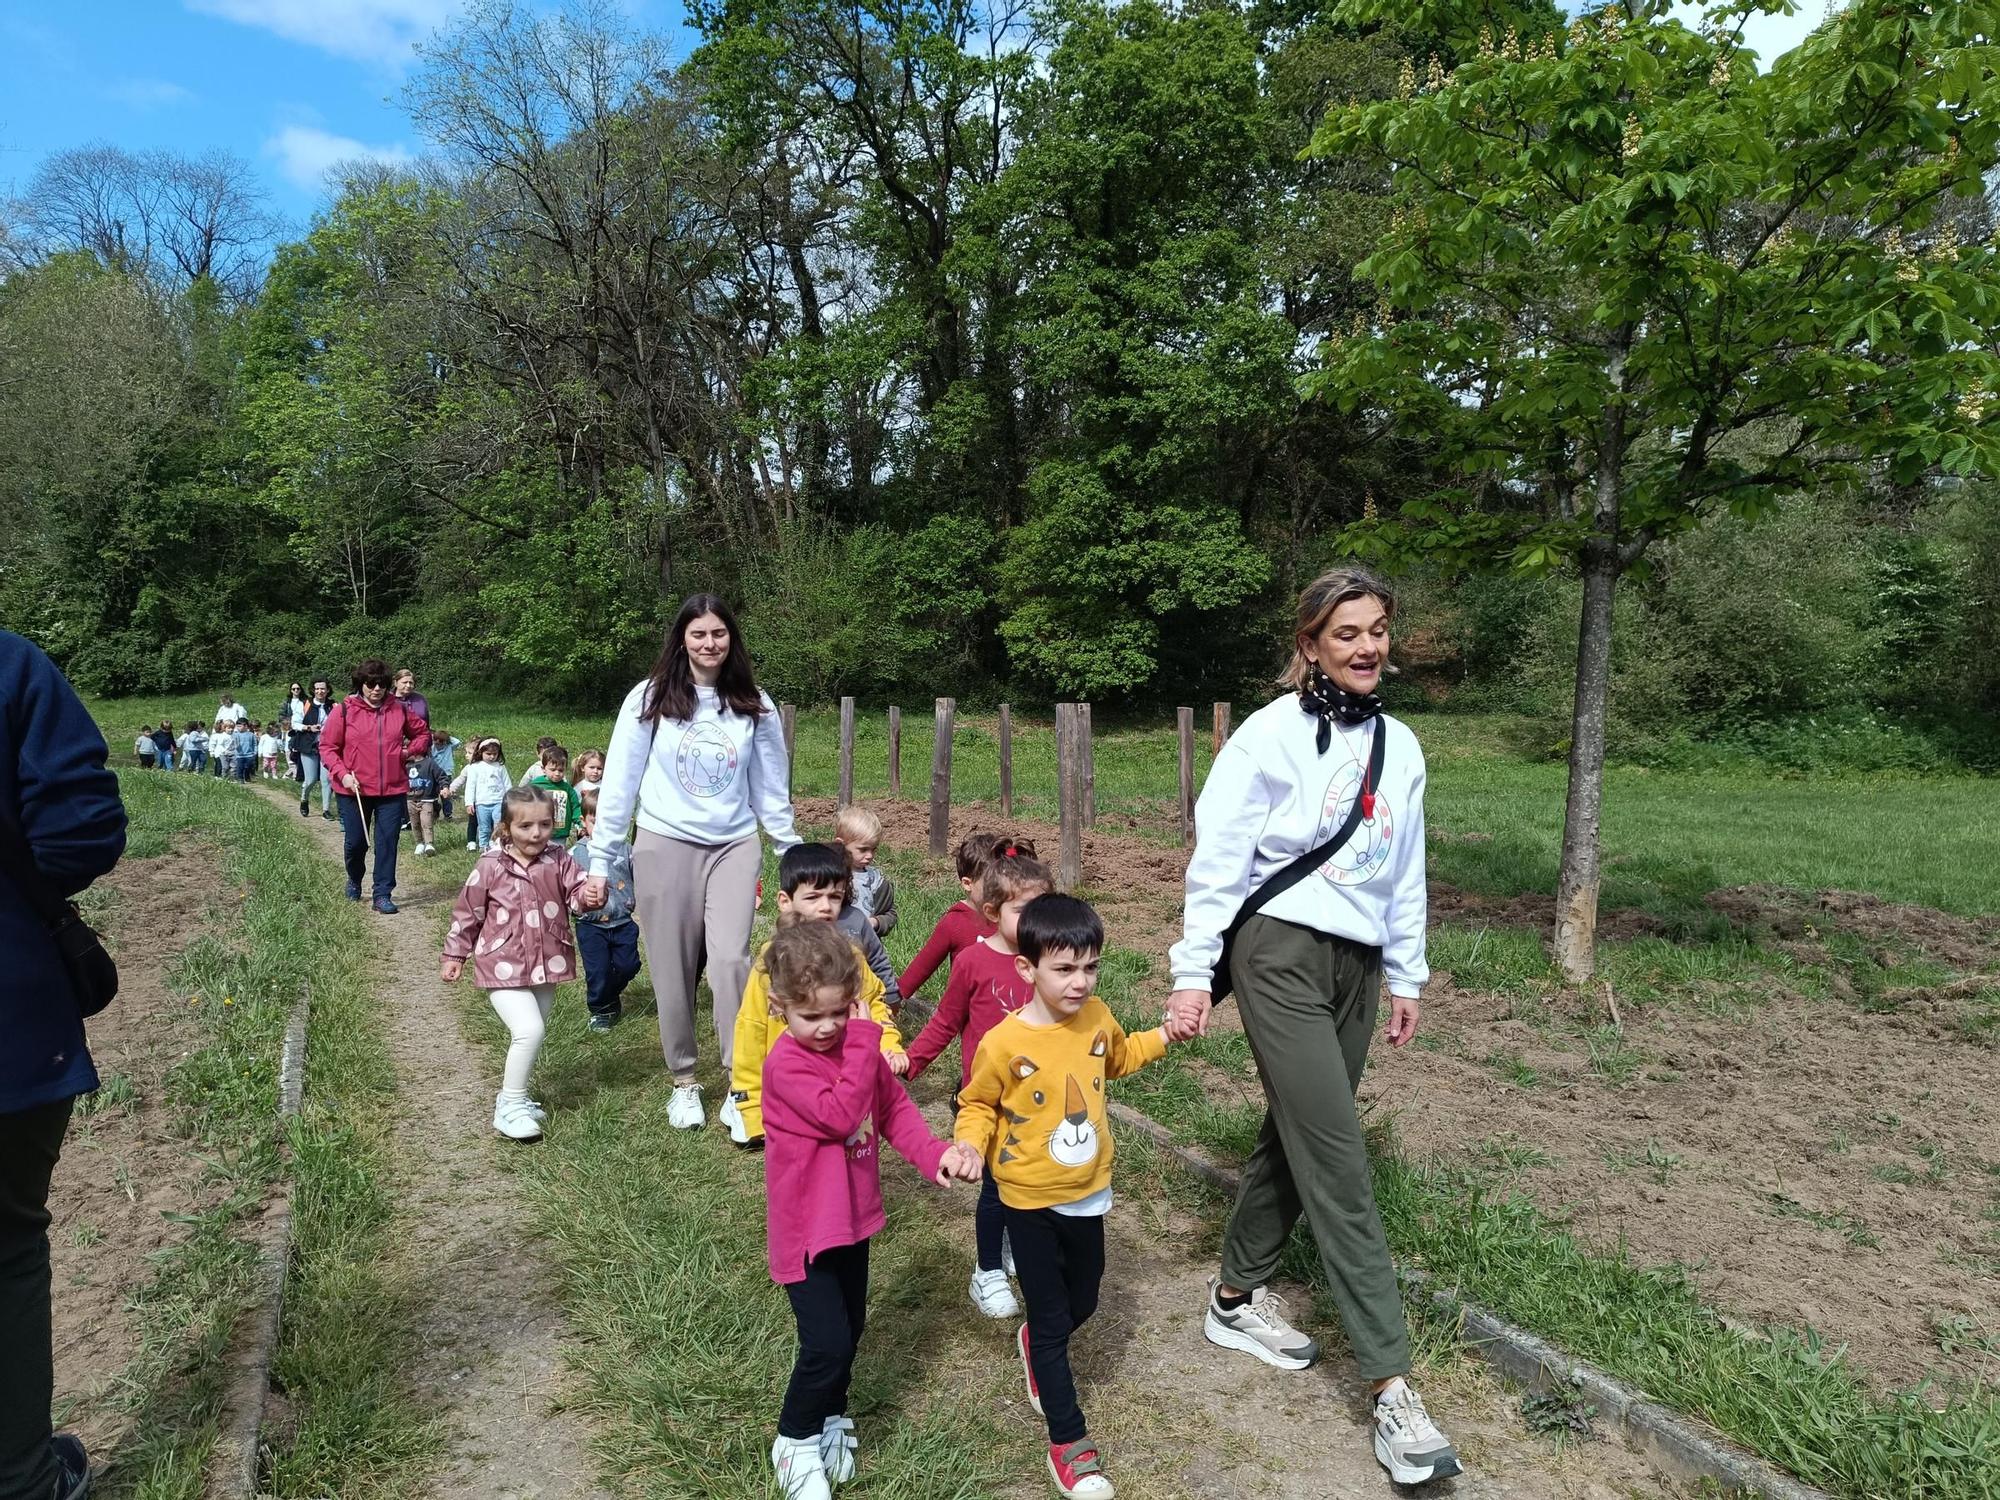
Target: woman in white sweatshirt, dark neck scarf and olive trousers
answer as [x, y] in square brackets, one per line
[1307, 971]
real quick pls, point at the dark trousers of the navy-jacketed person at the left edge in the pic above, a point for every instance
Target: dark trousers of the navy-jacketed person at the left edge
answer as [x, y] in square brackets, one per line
[31, 1141]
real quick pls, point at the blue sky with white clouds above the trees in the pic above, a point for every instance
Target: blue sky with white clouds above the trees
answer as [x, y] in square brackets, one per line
[289, 85]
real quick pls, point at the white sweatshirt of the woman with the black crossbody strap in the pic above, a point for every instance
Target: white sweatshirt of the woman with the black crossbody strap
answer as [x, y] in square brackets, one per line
[1269, 799]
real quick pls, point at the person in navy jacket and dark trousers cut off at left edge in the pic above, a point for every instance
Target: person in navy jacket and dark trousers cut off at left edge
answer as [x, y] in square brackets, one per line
[63, 803]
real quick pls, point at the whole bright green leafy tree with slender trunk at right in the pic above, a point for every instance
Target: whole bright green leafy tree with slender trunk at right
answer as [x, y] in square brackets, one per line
[1633, 283]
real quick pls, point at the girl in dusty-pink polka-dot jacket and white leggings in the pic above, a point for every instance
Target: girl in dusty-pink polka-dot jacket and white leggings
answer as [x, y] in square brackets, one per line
[513, 921]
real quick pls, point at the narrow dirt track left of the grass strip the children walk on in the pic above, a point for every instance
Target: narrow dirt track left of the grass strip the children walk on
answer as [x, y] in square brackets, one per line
[487, 1303]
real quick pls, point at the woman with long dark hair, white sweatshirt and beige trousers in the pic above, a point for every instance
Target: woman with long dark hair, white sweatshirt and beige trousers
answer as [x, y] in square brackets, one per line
[699, 759]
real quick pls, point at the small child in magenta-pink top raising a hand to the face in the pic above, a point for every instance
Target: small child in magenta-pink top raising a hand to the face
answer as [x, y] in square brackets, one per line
[829, 1103]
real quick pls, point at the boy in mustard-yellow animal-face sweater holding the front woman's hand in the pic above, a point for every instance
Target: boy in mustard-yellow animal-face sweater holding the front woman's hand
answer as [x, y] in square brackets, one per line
[1035, 1111]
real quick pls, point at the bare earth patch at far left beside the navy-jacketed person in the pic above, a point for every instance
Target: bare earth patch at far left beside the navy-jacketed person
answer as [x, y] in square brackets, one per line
[125, 1179]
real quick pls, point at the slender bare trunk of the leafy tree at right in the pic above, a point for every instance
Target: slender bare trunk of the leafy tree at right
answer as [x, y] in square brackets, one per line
[1577, 891]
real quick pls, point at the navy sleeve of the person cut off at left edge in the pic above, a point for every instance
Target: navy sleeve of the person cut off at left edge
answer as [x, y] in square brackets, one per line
[65, 797]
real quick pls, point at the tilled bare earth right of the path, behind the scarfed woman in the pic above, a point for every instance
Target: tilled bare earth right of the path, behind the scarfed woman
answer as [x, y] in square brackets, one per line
[1807, 1159]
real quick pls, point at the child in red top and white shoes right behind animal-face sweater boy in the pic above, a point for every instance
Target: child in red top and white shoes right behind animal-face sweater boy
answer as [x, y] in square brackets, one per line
[985, 987]
